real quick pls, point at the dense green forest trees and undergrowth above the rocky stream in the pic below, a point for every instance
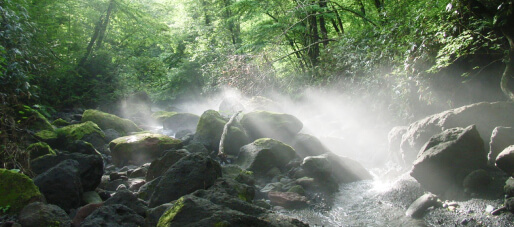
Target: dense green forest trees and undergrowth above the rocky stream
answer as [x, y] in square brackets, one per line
[414, 54]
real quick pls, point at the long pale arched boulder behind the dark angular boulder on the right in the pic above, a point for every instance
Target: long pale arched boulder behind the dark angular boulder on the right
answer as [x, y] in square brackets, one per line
[486, 116]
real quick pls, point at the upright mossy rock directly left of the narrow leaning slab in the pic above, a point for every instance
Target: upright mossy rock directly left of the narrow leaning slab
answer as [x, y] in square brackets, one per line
[209, 129]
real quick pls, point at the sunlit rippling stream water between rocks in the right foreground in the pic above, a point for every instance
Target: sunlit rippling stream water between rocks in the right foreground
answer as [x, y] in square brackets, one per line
[357, 204]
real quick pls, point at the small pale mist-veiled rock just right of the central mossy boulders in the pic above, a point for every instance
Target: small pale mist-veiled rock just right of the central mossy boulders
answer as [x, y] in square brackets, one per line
[307, 145]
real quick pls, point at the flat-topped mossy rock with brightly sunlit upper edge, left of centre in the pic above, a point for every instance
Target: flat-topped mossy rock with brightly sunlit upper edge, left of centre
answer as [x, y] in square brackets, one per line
[141, 148]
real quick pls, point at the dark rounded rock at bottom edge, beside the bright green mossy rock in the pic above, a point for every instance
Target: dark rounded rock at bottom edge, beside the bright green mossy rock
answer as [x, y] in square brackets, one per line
[40, 214]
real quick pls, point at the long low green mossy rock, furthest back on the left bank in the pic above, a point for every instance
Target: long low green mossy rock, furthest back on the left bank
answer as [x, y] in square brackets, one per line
[106, 121]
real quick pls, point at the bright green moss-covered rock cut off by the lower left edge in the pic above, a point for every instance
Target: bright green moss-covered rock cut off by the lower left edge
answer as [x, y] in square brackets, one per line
[16, 191]
